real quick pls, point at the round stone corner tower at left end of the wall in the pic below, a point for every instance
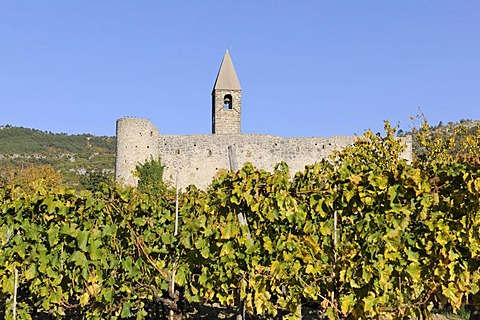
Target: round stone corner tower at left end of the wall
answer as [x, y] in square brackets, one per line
[137, 141]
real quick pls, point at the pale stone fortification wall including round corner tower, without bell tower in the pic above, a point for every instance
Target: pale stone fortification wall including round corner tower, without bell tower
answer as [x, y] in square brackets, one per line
[197, 158]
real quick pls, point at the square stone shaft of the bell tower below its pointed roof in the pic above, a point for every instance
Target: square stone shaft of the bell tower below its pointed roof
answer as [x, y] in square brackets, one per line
[226, 121]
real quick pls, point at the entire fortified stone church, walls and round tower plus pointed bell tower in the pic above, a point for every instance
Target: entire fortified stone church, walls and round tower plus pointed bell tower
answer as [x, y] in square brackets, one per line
[196, 159]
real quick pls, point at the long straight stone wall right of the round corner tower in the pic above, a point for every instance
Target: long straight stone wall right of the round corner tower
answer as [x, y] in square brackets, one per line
[197, 158]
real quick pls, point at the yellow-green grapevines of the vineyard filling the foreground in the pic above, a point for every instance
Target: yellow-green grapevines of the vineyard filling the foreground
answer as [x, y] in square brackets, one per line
[361, 235]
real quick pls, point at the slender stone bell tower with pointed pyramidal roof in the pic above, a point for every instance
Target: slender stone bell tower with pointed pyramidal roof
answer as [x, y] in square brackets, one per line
[226, 99]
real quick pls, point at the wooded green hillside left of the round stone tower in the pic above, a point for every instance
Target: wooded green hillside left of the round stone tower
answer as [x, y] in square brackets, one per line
[74, 156]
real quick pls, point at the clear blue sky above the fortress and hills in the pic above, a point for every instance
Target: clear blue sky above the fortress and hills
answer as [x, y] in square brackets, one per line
[307, 68]
